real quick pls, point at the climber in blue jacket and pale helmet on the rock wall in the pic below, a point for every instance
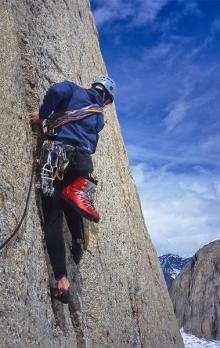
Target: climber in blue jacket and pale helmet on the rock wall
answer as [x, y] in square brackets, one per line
[71, 117]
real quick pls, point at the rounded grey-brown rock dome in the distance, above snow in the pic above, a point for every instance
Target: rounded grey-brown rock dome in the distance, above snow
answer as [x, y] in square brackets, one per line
[196, 293]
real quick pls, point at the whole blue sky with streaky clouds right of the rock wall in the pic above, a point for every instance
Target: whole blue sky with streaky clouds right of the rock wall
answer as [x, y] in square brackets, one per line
[165, 58]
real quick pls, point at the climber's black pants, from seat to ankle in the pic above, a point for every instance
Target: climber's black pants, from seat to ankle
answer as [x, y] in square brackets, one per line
[54, 208]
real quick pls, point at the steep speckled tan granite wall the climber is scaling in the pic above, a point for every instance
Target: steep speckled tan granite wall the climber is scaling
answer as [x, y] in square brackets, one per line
[120, 297]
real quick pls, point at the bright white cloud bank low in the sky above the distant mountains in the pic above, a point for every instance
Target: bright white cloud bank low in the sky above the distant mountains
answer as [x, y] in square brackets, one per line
[181, 210]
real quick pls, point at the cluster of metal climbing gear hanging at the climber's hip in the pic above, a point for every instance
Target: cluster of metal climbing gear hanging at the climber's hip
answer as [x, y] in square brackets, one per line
[53, 162]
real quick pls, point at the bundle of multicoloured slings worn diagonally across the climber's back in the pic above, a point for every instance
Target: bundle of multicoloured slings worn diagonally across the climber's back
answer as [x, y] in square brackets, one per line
[58, 119]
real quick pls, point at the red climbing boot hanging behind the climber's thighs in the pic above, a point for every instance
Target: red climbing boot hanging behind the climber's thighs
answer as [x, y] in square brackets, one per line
[79, 195]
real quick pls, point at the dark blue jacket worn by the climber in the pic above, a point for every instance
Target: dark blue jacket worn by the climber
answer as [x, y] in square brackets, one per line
[66, 96]
